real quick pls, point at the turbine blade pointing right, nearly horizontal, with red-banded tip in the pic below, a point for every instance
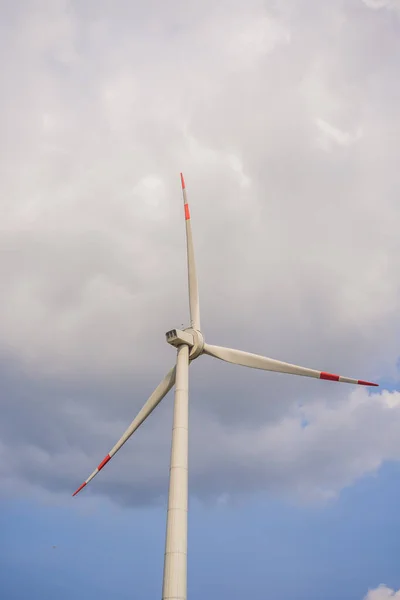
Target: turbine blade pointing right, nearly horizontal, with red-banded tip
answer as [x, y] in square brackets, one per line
[255, 361]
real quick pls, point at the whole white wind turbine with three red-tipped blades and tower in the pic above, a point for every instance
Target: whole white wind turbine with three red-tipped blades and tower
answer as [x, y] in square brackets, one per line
[190, 344]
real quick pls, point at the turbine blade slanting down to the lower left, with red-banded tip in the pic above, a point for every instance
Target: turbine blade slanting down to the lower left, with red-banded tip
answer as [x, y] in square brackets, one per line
[161, 390]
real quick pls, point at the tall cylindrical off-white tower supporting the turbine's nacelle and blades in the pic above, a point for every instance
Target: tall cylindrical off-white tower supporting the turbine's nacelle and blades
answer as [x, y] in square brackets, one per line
[175, 560]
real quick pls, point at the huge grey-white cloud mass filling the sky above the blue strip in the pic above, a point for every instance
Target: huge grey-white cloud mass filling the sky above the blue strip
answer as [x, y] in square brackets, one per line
[297, 248]
